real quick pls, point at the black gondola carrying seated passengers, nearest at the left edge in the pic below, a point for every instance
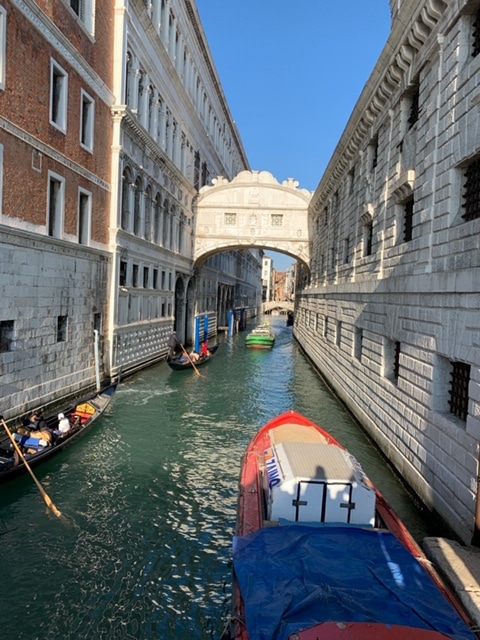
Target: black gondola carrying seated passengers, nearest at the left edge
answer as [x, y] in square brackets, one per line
[38, 446]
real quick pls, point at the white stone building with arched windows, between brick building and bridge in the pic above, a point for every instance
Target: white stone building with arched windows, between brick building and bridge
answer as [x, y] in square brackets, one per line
[172, 132]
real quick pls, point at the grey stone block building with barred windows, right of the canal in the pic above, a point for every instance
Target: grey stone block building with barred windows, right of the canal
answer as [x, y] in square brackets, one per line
[390, 311]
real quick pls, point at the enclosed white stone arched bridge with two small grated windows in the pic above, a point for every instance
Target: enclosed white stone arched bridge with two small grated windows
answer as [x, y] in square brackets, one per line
[253, 211]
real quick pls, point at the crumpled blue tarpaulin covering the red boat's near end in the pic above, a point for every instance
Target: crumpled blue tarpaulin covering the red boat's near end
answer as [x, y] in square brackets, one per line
[293, 577]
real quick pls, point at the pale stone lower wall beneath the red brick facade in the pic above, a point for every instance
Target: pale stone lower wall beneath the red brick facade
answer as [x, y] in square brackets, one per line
[43, 279]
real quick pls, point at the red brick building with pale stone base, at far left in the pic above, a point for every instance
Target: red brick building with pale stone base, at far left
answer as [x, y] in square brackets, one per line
[55, 189]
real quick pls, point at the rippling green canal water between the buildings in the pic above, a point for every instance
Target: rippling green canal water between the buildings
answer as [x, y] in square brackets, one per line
[148, 499]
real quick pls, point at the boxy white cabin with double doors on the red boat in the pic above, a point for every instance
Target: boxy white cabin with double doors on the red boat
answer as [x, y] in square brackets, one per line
[312, 483]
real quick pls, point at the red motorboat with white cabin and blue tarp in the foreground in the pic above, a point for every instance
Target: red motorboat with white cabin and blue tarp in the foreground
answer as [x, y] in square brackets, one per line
[320, 555]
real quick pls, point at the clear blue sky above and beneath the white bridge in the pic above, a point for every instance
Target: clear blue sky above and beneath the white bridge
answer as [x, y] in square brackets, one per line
[292, 73]
